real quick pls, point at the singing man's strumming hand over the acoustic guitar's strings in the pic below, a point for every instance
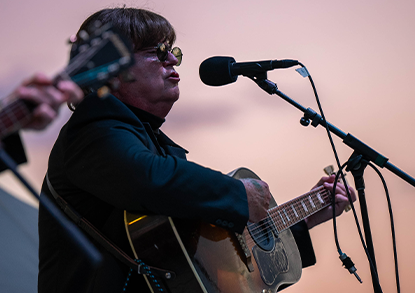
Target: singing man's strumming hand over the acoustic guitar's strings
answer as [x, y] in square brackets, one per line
[258, 195]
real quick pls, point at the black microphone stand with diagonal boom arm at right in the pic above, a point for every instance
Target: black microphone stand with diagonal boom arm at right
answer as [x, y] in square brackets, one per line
[357, 162]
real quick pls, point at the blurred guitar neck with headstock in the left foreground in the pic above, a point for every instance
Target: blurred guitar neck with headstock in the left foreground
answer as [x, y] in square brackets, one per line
[97, 59]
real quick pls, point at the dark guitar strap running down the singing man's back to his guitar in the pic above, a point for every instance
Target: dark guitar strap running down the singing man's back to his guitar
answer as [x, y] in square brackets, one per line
[141, 268]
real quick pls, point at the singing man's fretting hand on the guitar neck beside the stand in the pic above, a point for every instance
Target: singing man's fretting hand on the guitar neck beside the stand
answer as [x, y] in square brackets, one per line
[341, 201]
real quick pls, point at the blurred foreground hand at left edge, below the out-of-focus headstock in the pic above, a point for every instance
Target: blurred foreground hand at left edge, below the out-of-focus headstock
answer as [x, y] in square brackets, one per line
[39, 90]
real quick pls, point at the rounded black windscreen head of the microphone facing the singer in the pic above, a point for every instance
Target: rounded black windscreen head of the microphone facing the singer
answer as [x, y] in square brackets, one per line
[216, 71]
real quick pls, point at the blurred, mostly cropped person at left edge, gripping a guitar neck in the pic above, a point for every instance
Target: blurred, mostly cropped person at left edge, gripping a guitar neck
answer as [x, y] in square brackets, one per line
[39, 91]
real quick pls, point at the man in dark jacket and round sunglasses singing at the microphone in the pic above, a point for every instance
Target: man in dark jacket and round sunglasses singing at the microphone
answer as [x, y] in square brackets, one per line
[111, 156]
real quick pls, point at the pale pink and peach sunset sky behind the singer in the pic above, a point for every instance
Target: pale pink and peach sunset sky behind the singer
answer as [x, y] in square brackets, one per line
[361, 57]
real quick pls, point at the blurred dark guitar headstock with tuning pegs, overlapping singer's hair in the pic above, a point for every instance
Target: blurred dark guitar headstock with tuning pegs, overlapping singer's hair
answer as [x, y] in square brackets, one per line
[97, 56]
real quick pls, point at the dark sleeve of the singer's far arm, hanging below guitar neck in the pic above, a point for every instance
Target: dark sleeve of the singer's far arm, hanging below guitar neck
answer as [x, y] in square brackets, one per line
[303, 240]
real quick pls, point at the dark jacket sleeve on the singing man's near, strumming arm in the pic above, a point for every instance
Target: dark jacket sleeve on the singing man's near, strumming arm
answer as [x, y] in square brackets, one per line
[114, 163]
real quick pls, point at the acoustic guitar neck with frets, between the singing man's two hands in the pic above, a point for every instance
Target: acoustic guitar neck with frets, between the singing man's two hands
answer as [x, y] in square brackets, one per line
[290, 213]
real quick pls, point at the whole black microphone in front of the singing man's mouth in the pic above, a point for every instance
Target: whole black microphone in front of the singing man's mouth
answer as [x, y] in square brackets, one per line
[219, 70]
